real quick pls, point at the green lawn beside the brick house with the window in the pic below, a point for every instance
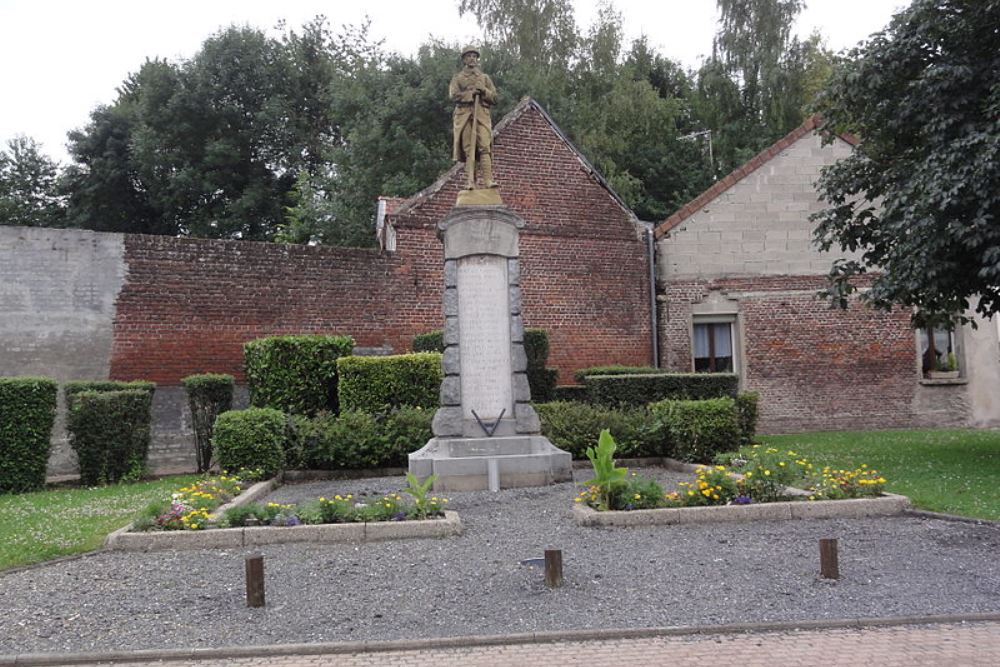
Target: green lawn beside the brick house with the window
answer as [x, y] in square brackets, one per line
[954, 471]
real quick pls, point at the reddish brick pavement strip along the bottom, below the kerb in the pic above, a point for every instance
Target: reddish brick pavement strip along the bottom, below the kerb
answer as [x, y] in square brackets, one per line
[966, 643]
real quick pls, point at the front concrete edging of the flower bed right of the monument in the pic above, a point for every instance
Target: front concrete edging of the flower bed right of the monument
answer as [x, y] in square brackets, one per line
[887, 504]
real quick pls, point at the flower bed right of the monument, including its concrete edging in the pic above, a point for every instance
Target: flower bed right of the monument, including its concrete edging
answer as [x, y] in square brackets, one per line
[759, 483]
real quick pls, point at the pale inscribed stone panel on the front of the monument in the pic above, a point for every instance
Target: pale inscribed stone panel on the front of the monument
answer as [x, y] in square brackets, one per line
[484, 336]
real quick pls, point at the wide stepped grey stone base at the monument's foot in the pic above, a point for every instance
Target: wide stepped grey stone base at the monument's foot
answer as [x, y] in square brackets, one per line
[471, 464]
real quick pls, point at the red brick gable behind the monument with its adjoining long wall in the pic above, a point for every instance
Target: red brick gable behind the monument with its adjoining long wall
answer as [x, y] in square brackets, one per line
[188, 305]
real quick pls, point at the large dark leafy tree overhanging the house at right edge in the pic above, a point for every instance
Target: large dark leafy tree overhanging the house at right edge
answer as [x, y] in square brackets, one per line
[920, 195]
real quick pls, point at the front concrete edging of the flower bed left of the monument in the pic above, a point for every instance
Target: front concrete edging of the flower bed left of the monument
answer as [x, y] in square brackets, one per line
[330, 533]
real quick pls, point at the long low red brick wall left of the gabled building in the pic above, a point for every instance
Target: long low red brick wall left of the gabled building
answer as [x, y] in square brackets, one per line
[188, 305]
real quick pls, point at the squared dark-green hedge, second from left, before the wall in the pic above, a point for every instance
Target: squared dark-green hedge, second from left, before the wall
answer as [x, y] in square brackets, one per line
[110, 433]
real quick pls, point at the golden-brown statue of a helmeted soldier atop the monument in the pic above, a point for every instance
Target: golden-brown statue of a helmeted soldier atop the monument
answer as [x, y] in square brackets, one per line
[473, 93]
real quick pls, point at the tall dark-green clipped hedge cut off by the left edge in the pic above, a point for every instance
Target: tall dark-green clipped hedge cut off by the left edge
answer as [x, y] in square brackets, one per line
[27, 412]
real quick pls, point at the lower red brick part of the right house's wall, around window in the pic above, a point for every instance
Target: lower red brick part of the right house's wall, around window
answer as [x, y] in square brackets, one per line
[815, 368]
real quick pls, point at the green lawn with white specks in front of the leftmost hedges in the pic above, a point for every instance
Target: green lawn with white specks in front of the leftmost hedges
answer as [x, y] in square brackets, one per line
[46, 524]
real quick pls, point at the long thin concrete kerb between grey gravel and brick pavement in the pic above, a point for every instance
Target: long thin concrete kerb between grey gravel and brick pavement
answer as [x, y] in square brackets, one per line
[385, 646]
